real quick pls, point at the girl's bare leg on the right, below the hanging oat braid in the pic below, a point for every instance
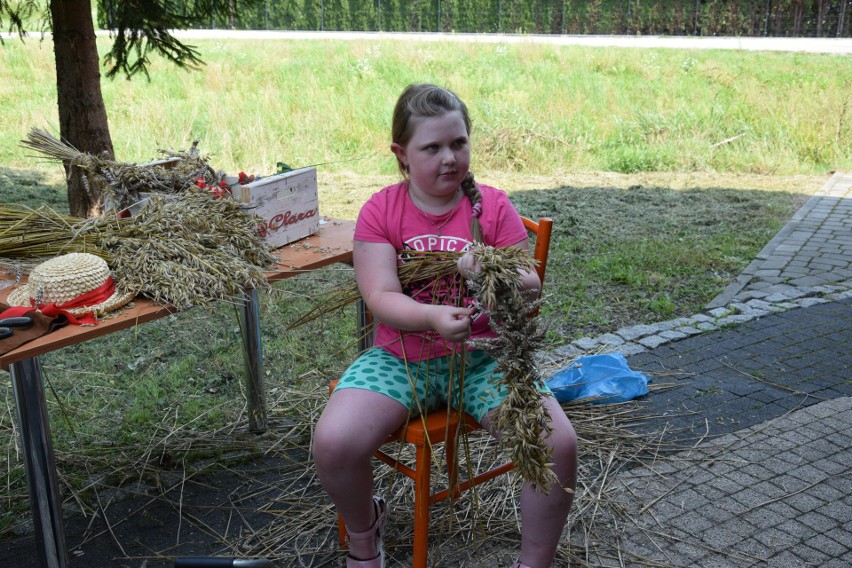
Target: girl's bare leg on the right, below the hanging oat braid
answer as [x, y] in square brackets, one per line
[543, 516]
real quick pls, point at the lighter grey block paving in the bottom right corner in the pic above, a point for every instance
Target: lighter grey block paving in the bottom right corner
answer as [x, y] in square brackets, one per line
[776, 494]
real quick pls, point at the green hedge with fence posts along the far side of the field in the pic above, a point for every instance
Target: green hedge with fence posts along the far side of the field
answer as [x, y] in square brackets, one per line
[780, 18]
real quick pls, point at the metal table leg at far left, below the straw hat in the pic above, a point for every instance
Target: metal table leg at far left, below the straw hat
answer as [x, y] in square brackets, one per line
[39, 462]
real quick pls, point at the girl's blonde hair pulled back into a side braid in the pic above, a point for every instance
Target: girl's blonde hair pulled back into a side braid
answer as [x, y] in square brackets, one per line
[425, 100]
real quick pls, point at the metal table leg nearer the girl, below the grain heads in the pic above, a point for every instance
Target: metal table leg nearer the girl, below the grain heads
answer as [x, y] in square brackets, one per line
[253, 360]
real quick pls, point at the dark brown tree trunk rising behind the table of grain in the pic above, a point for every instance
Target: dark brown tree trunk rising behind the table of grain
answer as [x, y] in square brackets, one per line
[82, 114]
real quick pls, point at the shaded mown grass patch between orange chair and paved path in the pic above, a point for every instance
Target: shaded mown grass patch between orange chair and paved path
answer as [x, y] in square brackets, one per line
[648, 253]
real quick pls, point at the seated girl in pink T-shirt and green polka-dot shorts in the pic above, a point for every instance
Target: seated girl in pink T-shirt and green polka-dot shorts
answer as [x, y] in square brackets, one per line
[437, 206]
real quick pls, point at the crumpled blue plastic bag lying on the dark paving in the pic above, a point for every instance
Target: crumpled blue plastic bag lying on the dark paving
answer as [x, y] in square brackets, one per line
[602, 378]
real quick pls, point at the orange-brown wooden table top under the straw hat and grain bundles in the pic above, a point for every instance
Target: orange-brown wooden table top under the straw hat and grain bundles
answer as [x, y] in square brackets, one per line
[331, 244]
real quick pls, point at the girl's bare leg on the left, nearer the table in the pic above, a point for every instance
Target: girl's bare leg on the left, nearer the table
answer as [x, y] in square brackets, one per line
[353, 425]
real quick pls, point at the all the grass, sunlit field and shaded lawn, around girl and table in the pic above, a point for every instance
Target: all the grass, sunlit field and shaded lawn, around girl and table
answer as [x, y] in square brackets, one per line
[631, 246]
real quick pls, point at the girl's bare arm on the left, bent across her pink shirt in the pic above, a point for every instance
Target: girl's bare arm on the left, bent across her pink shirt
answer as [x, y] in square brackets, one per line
[378, 282]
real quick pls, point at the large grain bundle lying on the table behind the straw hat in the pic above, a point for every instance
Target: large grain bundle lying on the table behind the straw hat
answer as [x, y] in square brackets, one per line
[185, 250]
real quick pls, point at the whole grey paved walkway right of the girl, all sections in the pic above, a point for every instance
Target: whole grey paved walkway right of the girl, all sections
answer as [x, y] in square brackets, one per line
[762, 410]
